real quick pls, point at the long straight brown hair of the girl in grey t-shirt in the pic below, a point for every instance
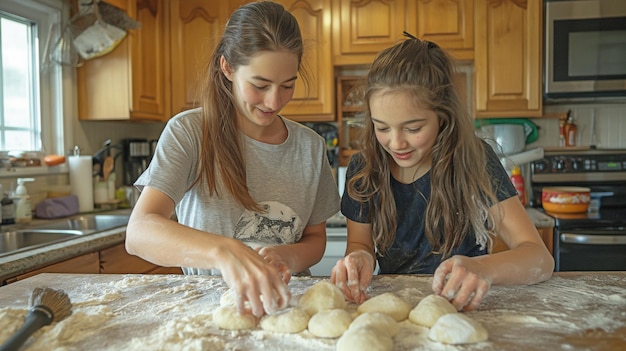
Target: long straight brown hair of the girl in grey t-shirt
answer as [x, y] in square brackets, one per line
[254, 27]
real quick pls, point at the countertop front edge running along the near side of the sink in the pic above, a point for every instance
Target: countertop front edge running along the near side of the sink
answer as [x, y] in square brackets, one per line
[26, 261]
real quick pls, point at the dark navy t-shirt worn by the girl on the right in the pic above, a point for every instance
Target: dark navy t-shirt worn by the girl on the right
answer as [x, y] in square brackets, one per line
[411, 251]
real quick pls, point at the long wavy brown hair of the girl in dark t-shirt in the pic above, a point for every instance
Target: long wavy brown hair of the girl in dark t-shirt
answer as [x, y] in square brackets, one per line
[461, 191]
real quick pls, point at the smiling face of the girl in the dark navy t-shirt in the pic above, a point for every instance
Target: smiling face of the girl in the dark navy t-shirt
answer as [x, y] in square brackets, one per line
[405, 130]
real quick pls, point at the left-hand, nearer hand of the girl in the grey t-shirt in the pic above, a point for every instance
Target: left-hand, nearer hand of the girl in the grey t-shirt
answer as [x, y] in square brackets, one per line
[253, 279]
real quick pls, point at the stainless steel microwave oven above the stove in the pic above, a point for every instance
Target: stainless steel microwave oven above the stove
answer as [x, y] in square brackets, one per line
[585, 49]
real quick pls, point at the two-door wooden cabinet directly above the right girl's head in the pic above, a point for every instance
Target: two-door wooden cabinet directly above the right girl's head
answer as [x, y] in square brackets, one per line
[363, 28]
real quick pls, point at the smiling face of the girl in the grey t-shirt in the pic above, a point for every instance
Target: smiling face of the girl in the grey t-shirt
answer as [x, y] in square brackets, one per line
[264, 86]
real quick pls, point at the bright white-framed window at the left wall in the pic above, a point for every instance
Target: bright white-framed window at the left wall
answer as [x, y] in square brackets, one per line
[32, 89]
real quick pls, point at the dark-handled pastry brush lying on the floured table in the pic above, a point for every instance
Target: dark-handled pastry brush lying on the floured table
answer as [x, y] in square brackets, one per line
[46, 306]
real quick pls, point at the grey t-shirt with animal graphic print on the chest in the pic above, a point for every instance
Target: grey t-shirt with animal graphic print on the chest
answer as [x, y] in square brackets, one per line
[292, 181]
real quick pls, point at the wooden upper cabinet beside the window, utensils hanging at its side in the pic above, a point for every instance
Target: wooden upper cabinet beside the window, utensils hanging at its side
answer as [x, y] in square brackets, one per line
[131, 82]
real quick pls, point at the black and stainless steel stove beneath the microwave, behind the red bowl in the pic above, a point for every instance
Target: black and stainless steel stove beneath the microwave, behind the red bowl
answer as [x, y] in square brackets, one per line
[594, 240]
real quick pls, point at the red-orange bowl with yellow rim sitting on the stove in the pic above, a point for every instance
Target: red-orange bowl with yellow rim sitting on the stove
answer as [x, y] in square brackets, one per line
[565, 199]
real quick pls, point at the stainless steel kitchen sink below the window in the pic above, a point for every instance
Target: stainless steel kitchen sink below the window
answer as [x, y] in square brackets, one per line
[34, 236]
